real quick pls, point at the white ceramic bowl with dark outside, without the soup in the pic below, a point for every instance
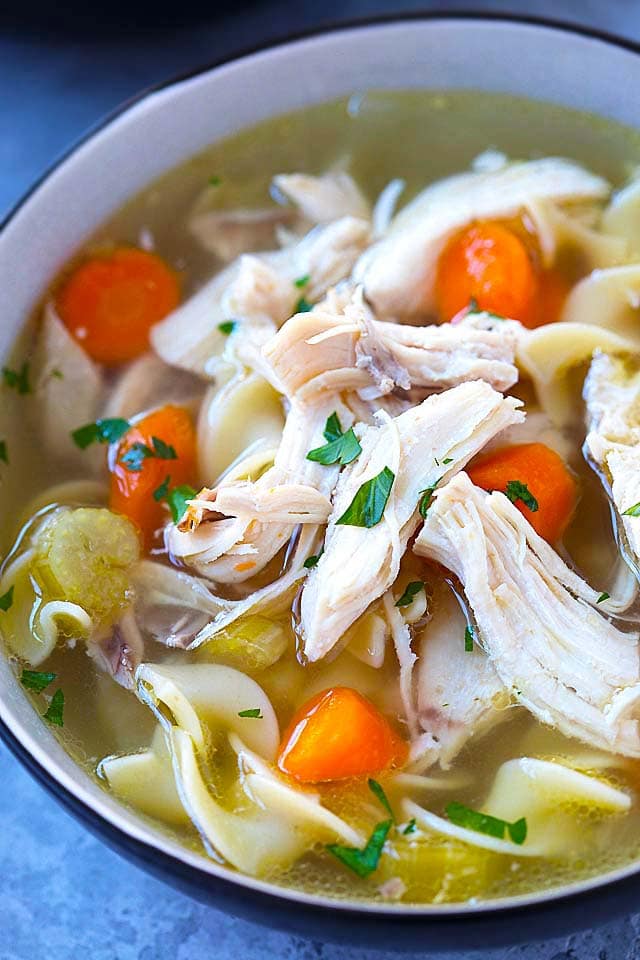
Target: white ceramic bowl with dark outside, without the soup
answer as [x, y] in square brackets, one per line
[160, 130]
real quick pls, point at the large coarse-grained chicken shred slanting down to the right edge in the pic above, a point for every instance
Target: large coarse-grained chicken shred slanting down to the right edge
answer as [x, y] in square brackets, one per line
[551, 646]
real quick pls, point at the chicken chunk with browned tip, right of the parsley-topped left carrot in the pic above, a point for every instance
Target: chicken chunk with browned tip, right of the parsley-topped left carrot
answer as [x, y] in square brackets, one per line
[235, 547]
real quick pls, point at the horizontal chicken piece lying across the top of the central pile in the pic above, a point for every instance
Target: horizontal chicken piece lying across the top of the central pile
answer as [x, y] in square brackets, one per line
[322, 350]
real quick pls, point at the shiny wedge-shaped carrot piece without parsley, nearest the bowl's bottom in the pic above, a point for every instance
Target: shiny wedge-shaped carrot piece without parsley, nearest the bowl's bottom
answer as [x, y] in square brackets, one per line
[337, 735]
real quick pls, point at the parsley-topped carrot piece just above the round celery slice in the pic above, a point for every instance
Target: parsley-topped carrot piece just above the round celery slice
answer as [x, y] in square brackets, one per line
[136, 475]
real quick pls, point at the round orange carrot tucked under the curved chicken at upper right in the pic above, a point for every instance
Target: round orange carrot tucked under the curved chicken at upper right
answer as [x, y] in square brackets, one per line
[489, 264]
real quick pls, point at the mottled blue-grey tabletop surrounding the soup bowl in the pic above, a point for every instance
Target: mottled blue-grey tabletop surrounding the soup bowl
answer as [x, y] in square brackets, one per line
[62, 894]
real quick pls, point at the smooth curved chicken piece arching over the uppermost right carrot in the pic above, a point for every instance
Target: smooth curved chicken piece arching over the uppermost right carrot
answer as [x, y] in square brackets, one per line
[399, 271]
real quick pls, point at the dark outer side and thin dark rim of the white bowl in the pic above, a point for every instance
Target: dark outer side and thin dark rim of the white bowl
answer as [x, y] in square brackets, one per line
[585, 905]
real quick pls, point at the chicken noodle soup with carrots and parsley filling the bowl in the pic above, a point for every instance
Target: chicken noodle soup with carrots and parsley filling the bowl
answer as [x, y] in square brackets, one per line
[320, 472]
